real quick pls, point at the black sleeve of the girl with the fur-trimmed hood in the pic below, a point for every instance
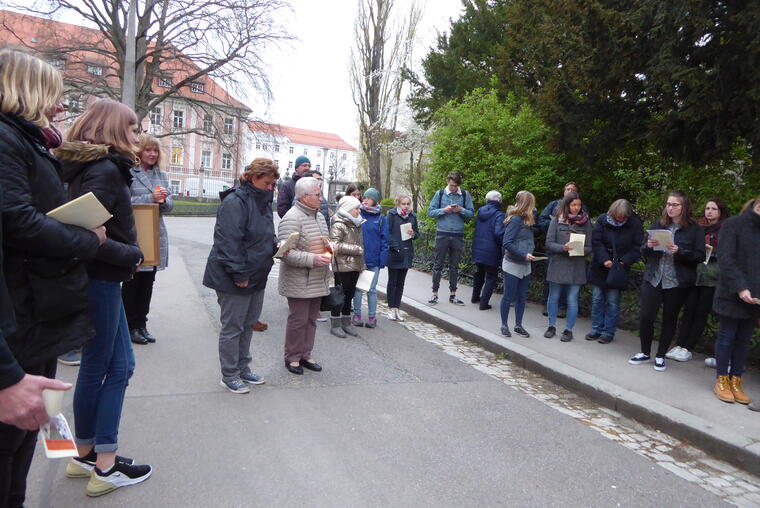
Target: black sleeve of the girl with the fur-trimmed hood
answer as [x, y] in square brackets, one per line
[102, 182]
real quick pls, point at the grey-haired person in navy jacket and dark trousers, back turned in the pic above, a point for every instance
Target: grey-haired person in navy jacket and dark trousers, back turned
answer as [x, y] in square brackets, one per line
[486, 249]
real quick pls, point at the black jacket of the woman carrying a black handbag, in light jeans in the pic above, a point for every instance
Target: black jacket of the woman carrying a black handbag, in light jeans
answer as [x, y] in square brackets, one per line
[628, 240]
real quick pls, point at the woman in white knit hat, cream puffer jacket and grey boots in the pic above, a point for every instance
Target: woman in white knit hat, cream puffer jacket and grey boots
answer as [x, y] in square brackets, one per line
[346, 235]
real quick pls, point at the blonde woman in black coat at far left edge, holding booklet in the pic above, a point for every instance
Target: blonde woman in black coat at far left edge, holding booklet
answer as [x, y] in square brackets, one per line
[45, 278]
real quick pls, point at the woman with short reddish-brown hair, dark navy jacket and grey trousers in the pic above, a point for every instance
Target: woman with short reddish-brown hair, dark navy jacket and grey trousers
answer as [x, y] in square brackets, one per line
[238, 267]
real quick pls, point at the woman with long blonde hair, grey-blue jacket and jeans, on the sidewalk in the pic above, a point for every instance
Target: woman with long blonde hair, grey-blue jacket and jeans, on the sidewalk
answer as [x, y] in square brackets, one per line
[518, 248]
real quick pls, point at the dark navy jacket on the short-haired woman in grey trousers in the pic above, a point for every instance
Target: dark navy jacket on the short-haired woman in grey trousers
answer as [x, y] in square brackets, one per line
[244, 241]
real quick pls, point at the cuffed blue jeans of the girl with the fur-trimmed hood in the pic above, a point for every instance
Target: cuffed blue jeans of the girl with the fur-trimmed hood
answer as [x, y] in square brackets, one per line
[107, 364]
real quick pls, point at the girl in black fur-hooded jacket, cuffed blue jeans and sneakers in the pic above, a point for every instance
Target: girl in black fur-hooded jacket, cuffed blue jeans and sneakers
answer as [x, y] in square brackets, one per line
[97, 158]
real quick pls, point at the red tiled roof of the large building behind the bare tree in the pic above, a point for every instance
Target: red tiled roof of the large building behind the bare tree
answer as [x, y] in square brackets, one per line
[20, 30]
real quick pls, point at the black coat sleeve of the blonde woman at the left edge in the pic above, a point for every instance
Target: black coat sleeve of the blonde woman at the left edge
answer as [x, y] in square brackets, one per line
[26, 228]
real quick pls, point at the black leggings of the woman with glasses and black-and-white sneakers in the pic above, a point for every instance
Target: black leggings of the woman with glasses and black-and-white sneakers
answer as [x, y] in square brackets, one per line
[651, 298]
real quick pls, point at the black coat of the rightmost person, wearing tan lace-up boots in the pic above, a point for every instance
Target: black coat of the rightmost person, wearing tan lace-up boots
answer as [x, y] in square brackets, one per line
[739, 264]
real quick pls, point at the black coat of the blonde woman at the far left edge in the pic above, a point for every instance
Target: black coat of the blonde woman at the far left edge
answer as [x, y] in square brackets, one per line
[45, 276]
